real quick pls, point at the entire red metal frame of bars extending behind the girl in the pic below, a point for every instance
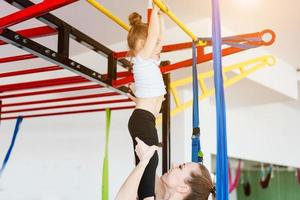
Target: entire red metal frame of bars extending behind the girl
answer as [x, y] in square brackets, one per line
[122, 77]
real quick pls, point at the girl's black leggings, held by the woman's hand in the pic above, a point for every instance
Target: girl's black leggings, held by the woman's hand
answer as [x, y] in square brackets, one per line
[142, 125]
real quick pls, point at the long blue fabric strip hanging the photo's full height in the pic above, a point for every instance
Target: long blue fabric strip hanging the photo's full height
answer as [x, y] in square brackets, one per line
[222, 160]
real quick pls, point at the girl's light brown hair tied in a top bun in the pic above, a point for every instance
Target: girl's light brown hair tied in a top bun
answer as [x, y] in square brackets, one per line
[138, 30]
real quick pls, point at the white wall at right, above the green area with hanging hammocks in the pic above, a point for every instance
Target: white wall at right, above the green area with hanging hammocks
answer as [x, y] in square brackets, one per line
[266, 133]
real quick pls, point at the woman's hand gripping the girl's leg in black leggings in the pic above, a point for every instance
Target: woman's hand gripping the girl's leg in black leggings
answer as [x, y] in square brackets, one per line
[144, 151]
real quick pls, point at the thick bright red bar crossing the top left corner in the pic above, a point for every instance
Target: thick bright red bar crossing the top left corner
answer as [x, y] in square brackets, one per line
[32, 11]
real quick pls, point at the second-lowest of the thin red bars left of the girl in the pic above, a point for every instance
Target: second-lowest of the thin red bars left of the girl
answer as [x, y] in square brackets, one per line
[68, 106]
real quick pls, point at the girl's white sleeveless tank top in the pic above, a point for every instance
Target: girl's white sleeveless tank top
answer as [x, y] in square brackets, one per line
[148, 78]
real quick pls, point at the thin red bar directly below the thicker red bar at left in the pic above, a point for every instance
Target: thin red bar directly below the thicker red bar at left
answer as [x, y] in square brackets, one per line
[51, 91]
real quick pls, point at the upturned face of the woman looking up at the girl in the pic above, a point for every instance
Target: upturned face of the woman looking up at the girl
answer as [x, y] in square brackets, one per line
[178, 174]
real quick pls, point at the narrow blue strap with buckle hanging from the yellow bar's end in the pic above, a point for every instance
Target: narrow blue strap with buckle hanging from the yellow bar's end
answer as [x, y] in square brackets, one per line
[197, 155]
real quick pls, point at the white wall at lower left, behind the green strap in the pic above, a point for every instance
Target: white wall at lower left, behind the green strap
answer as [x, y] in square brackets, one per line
[61, 157]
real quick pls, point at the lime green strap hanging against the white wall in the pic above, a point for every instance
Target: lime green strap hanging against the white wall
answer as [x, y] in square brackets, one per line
[105, 183]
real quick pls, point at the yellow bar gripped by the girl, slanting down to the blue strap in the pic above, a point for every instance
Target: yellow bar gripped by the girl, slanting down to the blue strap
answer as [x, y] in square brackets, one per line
[165, 9]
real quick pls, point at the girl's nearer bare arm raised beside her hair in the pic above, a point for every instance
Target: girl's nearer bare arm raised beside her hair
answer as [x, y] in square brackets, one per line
[153, 34]
